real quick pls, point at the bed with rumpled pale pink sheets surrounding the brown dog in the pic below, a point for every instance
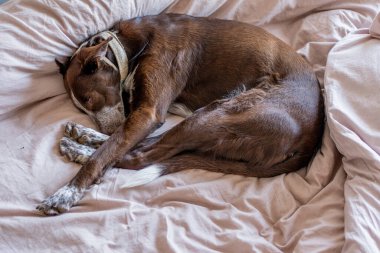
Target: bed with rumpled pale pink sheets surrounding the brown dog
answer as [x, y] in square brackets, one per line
[331, 205]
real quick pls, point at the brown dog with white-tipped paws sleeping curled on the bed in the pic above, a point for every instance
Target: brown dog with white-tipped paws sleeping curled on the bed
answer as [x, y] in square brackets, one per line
[253, 106]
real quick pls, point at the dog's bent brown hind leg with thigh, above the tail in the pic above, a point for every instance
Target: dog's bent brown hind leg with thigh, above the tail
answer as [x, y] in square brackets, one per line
[258, 136]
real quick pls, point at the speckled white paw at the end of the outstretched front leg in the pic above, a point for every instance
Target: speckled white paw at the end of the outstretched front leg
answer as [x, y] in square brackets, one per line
[61, 201]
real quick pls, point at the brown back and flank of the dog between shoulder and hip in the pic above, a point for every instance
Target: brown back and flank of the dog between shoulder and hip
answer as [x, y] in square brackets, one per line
[217, 55]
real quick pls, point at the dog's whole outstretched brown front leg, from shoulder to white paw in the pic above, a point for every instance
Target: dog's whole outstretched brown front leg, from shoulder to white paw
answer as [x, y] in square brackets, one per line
[155, 88]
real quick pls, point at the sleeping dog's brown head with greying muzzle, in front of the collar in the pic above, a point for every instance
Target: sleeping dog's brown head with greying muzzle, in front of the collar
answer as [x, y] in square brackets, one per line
[93, 84]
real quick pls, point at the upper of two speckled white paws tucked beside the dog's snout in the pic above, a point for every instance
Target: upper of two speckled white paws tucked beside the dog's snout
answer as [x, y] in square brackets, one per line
[85, 136]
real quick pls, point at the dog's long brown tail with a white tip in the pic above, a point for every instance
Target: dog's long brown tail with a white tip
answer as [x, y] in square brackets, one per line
[194, 161]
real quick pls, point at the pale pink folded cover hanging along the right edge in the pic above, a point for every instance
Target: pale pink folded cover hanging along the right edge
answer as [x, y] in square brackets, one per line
[352, 88]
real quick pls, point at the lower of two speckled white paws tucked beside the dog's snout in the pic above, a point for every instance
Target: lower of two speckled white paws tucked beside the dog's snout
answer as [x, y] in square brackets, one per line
[74, 151]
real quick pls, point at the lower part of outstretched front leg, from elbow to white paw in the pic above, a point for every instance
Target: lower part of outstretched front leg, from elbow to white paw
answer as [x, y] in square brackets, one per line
[138, 125]
